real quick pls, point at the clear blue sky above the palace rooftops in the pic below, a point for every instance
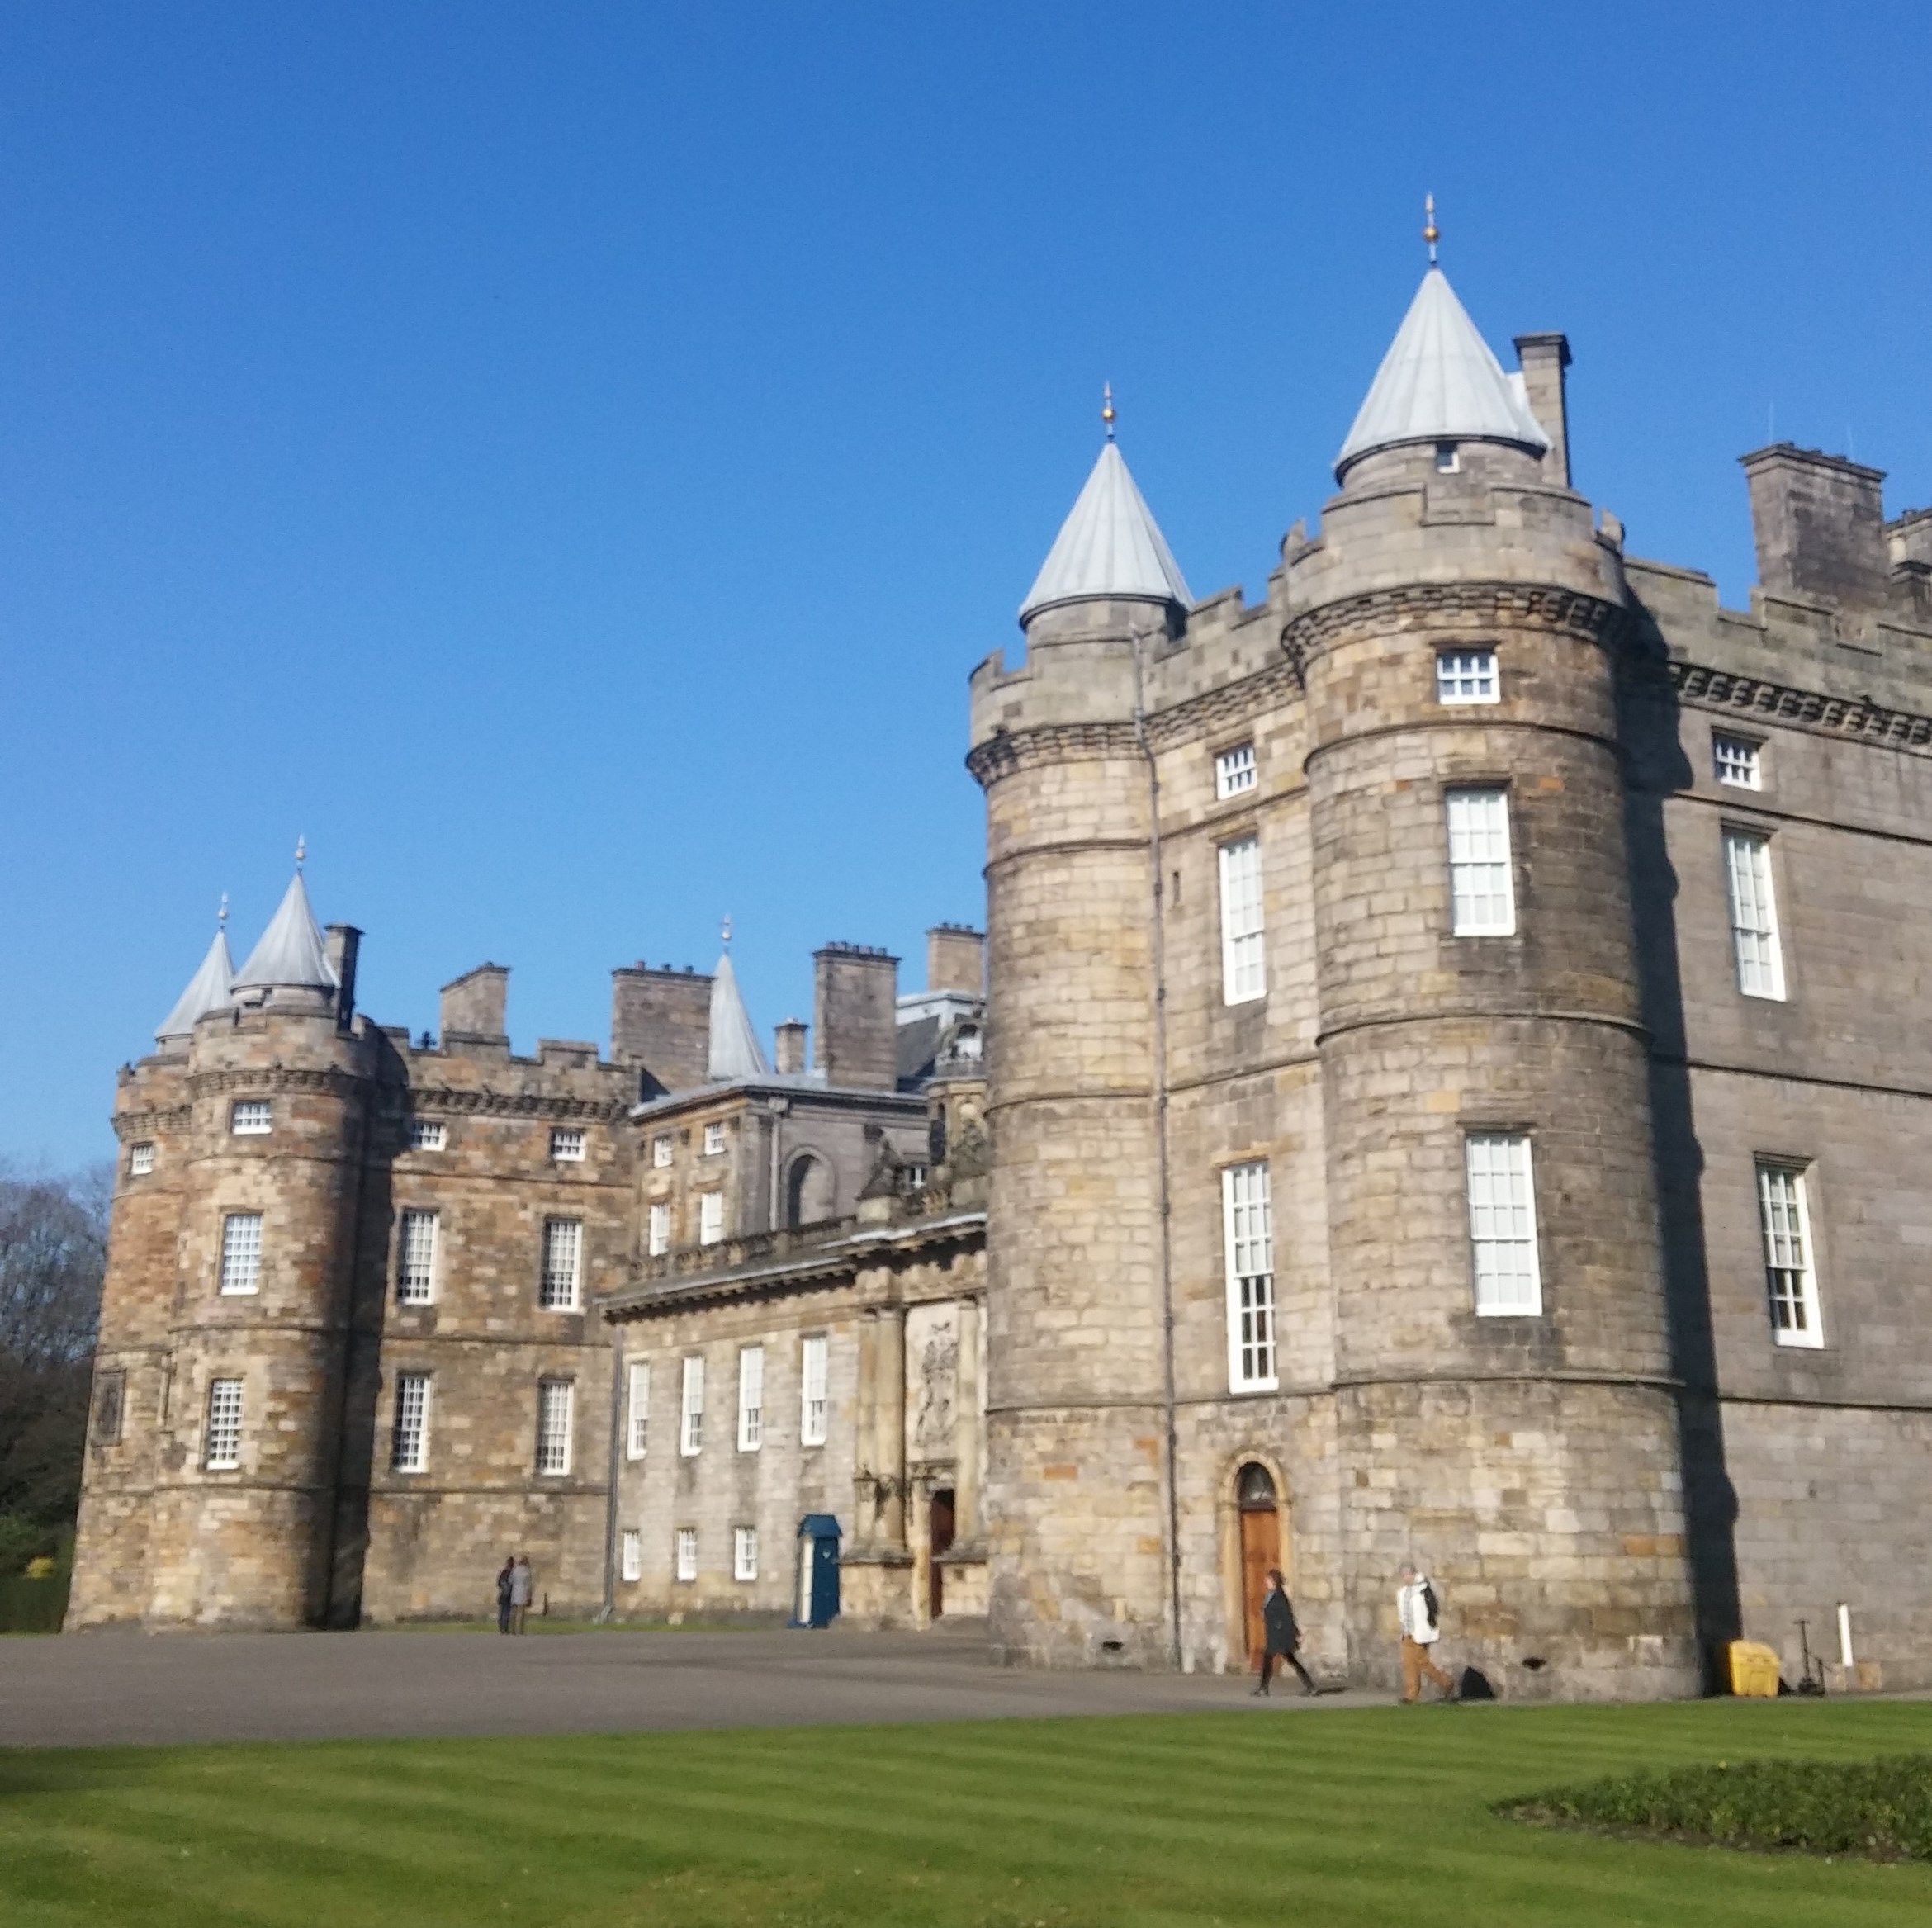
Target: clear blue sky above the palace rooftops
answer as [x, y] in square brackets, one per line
[567, 461]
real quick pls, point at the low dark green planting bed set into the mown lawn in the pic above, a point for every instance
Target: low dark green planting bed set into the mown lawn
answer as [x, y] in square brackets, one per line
[1827, 1807]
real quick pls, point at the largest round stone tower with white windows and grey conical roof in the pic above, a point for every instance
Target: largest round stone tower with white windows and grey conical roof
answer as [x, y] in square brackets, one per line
[1504, 1384]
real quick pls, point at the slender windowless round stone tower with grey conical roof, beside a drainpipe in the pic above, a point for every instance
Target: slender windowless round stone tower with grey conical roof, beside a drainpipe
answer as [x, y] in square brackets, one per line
[1077, 1471]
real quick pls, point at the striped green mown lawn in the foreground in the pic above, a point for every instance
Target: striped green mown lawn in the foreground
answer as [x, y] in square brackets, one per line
[1375, 1817]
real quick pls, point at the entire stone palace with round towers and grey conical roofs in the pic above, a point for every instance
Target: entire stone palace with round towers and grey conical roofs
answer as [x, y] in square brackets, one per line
[1448, 1079]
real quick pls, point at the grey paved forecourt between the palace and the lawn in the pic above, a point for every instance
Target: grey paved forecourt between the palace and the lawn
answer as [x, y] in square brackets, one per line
[128, 1687]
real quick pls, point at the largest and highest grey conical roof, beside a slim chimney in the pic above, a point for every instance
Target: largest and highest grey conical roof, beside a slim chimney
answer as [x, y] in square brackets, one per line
[1440, 383]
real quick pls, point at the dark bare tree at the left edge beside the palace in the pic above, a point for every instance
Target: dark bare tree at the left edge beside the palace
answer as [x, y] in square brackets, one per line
[53, 1257]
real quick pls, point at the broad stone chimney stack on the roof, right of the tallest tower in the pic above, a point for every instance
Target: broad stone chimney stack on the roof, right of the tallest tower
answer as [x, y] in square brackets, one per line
[1821, 526]
